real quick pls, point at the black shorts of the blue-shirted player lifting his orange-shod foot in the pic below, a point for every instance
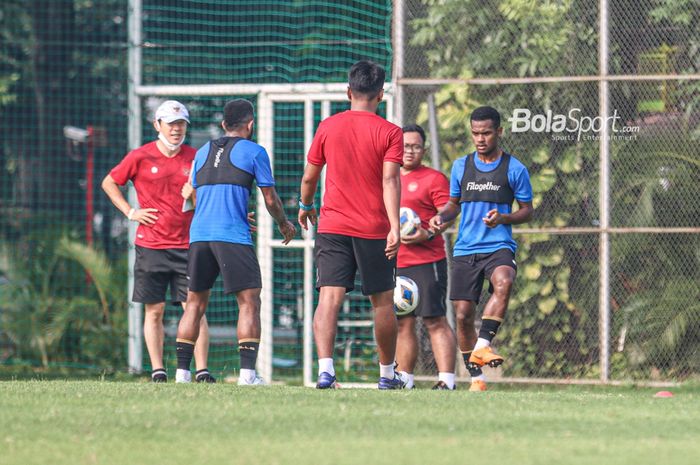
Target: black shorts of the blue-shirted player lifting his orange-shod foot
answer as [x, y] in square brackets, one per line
[469, 272]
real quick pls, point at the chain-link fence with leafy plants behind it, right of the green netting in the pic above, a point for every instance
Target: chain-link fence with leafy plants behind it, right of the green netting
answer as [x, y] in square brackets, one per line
[627, 184]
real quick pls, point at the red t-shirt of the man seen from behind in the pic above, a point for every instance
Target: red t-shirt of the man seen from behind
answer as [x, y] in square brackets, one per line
[355, 145]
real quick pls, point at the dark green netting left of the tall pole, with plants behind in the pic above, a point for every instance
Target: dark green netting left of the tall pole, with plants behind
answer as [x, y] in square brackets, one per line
[62, 63]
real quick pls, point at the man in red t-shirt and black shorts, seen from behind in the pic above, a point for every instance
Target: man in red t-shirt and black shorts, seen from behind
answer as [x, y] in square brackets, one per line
[359, 224]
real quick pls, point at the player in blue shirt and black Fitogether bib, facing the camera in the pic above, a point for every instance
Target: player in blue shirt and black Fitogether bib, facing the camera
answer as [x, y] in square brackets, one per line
[483, 186]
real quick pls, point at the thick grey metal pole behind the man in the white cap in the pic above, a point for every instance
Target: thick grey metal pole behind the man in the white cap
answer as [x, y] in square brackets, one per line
[134, 135]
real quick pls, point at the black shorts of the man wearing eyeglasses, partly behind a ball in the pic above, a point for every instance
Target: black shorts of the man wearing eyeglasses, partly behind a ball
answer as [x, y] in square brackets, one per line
[431, 279]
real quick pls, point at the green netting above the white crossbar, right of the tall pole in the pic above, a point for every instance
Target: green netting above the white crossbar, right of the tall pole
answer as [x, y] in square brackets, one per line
[218, 41]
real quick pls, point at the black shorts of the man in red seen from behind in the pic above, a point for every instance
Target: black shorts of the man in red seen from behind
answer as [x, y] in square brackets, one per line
[339, 257]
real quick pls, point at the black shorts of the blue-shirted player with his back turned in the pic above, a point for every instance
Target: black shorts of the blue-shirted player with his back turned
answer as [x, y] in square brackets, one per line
[237, 264]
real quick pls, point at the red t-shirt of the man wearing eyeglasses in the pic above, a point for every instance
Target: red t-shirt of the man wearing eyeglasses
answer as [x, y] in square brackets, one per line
[423, 190]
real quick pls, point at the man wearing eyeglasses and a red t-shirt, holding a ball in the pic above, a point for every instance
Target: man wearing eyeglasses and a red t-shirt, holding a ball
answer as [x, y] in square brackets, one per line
[422, 258]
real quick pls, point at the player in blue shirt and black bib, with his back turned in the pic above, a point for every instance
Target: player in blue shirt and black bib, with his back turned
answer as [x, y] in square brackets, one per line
[220, 242]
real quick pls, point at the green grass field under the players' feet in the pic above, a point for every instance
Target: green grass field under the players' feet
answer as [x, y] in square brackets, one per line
[86, 422]
